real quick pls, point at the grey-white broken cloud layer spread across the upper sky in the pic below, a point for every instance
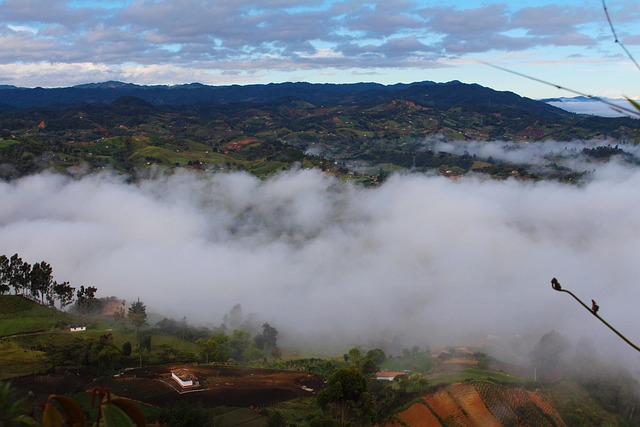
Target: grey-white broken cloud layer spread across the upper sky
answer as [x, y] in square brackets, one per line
[61, 42]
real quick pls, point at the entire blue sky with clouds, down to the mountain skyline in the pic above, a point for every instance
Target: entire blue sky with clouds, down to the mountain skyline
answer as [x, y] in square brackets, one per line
[65, 42]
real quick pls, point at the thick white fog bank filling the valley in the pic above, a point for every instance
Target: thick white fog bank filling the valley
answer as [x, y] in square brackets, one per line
[420, 260]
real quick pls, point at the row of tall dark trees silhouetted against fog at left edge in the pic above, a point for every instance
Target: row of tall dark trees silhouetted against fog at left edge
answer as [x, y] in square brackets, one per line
[37, 283]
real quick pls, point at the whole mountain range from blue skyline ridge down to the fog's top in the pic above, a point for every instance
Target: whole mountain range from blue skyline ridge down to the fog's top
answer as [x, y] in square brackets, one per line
[342, 128]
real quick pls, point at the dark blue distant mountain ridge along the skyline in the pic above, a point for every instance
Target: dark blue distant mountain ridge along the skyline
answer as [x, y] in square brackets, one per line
[426, 93]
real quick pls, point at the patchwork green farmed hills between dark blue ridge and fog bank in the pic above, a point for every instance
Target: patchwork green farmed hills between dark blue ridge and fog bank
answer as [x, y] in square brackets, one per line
[356, 141]
